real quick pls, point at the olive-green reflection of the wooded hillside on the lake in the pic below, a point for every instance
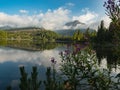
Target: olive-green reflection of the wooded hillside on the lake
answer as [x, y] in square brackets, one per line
[30, 45]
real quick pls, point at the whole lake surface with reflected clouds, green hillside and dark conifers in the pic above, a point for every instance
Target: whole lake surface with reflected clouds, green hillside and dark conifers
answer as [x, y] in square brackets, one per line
[28, 54]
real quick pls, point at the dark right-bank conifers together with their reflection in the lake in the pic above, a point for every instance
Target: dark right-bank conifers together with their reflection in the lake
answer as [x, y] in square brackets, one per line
[106, 43]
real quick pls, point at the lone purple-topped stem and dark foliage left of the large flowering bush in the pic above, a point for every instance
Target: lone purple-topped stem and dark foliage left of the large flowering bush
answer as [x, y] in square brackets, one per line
[52, 82]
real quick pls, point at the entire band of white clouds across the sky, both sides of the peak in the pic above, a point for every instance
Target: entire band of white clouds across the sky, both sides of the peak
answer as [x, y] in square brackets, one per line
[52, 19]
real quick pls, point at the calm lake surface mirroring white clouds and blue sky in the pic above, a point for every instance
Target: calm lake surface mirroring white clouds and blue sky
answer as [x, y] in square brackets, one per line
[12, 58]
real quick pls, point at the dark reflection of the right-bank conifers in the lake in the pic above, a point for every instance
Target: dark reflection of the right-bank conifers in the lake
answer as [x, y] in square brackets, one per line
[109, 56]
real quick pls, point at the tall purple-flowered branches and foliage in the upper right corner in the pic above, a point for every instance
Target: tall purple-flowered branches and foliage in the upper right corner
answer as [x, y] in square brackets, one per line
[113, 11]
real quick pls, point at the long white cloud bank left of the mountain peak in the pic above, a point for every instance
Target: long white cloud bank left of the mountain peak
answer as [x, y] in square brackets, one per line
[52, 19]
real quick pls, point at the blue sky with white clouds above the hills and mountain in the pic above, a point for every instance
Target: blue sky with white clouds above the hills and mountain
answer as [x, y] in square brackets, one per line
[52, 14]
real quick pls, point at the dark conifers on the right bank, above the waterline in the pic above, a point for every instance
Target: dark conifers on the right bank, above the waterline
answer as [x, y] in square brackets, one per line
[110, 35]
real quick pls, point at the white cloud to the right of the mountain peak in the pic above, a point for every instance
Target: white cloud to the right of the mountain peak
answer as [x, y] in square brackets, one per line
[91, 19]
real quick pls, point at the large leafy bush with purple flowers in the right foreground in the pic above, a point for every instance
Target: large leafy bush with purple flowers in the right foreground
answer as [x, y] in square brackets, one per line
[81, 70]
